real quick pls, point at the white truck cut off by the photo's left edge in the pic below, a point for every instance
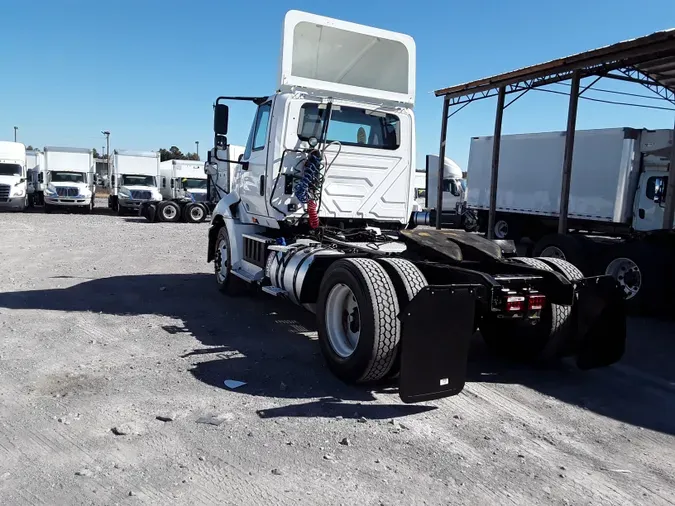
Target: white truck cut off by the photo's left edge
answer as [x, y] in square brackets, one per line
[13, 186]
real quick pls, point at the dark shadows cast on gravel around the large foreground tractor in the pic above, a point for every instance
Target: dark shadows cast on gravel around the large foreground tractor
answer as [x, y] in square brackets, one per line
[268, 344]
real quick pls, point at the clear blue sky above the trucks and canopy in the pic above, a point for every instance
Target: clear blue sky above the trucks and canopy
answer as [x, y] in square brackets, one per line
[149, 70]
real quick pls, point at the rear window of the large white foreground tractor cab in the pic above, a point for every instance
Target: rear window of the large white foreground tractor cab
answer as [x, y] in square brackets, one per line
[351, 126]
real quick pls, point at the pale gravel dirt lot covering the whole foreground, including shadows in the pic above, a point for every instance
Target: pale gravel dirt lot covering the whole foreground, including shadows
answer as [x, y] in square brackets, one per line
[108, 323]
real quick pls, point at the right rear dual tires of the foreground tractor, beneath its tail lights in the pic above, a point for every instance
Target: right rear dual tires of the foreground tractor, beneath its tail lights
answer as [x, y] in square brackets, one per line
[518, 340]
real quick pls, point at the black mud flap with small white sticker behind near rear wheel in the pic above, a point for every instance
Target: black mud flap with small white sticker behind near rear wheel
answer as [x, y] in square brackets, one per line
[436, 329]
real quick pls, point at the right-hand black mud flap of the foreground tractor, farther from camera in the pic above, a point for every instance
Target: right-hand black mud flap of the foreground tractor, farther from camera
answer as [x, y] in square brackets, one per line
[601, 323]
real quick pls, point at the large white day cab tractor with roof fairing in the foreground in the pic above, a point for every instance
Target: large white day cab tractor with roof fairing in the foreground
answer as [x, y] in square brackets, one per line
[317, 214]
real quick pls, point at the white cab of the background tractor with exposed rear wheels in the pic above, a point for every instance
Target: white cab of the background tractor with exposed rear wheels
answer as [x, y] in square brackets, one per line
[183, 178]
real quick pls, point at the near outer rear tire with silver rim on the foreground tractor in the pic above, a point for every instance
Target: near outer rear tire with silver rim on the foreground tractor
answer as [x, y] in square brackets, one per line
[357, 320]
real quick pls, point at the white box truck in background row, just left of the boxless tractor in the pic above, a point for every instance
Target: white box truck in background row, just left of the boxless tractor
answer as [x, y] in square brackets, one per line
[134, 180]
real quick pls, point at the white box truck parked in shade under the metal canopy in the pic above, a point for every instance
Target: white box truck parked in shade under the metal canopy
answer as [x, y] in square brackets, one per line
[616, 205]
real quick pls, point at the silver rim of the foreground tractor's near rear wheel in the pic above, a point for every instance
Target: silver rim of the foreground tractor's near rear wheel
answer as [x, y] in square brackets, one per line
[343, 320]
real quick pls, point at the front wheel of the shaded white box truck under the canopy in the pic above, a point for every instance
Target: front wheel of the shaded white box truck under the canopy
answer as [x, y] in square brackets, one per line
[641, 271]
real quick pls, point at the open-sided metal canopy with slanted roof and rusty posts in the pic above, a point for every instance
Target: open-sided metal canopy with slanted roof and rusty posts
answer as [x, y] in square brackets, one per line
[648, 61]
